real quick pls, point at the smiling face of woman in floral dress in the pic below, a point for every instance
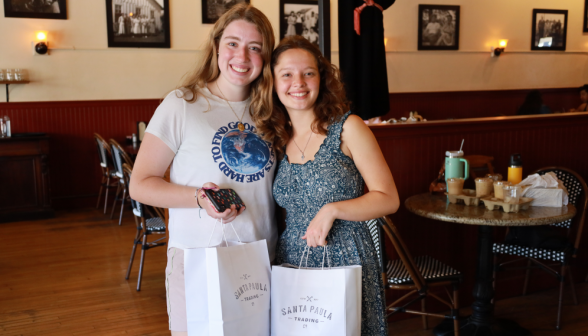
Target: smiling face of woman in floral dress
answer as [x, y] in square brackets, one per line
[297, 80]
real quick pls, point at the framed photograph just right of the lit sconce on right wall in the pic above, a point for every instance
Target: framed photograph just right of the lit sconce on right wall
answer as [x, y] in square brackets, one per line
[550, 28]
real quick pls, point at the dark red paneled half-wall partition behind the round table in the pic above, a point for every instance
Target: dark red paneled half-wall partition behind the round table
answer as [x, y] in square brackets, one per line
[416, 151]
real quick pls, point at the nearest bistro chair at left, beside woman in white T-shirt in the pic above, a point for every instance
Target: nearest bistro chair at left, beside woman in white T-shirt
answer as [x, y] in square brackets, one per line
[148, 223]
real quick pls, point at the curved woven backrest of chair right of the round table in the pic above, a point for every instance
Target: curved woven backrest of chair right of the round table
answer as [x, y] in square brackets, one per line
[577, 195]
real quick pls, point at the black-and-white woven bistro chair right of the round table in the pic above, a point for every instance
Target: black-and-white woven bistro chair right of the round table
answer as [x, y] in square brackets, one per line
[558, 257]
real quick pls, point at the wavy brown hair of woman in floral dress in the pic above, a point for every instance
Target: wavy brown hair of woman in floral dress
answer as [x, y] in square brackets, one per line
[331, 103]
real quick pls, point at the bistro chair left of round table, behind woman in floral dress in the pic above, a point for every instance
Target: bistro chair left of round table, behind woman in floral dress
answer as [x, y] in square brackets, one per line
[417, 276]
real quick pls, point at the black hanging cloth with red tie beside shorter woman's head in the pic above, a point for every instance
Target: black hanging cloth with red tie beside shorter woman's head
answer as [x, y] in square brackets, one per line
[362, 58]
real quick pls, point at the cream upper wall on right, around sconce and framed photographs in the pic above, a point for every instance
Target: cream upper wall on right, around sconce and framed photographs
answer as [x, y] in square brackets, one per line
[483, 23]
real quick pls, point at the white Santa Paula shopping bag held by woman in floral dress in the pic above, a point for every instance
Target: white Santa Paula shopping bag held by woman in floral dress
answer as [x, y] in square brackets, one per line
[316, 301]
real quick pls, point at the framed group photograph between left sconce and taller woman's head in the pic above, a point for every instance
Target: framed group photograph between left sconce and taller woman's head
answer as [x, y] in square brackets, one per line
[138, 23]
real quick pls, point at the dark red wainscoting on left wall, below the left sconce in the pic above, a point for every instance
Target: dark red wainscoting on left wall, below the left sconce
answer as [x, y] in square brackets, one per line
[74, 168]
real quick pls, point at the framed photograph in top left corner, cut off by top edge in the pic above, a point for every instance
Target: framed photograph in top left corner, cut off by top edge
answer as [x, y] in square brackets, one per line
[36, 9]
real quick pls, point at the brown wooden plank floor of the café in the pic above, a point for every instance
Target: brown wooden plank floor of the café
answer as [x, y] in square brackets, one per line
[65, 276]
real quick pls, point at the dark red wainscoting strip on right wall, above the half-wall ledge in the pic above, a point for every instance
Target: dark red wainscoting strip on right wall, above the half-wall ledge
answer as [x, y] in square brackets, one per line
[475, 104]
